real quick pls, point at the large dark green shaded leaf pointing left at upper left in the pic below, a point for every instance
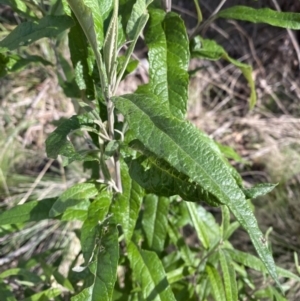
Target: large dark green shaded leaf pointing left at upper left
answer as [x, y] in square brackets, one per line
[29, 32]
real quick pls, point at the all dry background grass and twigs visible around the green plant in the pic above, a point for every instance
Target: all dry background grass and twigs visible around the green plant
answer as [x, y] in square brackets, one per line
[267, 138]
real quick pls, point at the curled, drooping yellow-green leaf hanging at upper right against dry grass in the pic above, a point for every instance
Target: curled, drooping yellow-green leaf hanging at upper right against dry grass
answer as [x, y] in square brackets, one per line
[209, 49]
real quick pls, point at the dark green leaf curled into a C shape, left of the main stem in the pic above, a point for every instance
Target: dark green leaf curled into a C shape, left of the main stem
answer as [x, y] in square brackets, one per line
[58, 143]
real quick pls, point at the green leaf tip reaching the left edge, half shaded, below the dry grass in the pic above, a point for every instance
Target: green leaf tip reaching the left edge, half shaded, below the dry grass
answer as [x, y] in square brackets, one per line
[29, 212]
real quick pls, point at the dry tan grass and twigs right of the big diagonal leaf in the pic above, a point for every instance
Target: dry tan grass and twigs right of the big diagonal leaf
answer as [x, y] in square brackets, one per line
[268, 136]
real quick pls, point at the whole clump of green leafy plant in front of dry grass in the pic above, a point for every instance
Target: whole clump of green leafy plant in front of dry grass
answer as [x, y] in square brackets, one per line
[150, 167]
